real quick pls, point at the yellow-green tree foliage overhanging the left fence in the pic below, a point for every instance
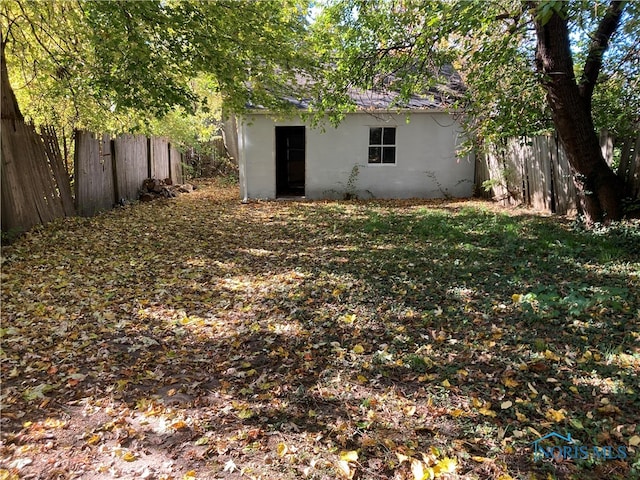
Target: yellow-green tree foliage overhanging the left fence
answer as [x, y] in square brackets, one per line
[119, 64]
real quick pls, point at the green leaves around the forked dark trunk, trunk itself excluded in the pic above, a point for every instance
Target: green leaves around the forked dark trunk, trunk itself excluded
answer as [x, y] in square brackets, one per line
[399, 45]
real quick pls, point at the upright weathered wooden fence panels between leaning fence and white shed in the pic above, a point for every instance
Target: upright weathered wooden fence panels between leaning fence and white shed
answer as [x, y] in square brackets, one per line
[108, 171]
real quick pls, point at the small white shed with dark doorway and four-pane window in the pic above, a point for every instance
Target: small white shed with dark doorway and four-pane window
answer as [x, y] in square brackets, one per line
[379, 151]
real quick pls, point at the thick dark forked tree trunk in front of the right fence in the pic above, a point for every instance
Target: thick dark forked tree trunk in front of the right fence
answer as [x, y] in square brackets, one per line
[599, 188]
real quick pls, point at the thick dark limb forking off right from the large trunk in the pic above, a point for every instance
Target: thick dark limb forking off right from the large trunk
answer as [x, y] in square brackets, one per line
[607, 27]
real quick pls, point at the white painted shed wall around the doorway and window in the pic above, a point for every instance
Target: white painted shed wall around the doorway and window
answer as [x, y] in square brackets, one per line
[426, 163]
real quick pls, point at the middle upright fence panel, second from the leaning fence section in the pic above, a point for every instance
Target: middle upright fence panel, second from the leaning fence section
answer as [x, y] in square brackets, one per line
[131, 165]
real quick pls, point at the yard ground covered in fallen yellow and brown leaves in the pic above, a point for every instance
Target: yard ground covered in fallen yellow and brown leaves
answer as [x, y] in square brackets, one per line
[203, 338]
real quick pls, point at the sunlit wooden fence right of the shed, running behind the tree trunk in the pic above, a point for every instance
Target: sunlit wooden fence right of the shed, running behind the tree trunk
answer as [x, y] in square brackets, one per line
[535, 171]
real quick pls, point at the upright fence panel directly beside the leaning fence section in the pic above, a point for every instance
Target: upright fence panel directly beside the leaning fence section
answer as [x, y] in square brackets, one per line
[94, 187]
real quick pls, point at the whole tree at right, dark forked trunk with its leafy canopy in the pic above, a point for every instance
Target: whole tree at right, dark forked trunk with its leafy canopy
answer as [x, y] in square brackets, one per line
[529, 67]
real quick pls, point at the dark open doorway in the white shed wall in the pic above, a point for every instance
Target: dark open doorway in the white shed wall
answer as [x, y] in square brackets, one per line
[290, 161]
